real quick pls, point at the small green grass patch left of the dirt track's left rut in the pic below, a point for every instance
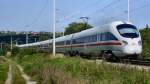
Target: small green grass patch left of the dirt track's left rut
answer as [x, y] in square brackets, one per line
[3, 72]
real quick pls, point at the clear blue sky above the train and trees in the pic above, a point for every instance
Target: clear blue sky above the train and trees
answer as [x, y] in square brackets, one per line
[37, 15]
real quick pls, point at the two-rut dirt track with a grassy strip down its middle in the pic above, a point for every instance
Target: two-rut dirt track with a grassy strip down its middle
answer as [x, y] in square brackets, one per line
[16, 74]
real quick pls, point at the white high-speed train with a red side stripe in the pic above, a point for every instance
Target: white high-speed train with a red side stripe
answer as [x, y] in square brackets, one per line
[118, 39]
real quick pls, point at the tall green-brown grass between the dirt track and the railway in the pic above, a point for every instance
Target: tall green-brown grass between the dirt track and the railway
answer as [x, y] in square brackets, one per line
[46, 70]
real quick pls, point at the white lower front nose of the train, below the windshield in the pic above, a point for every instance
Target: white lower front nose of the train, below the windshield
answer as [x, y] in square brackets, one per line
[132, 48]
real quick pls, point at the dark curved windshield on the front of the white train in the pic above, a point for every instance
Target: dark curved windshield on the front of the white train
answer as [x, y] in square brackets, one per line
[128, 31]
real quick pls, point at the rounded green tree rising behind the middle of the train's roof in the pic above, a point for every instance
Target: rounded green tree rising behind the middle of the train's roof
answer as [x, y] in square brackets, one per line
[76, 27]
